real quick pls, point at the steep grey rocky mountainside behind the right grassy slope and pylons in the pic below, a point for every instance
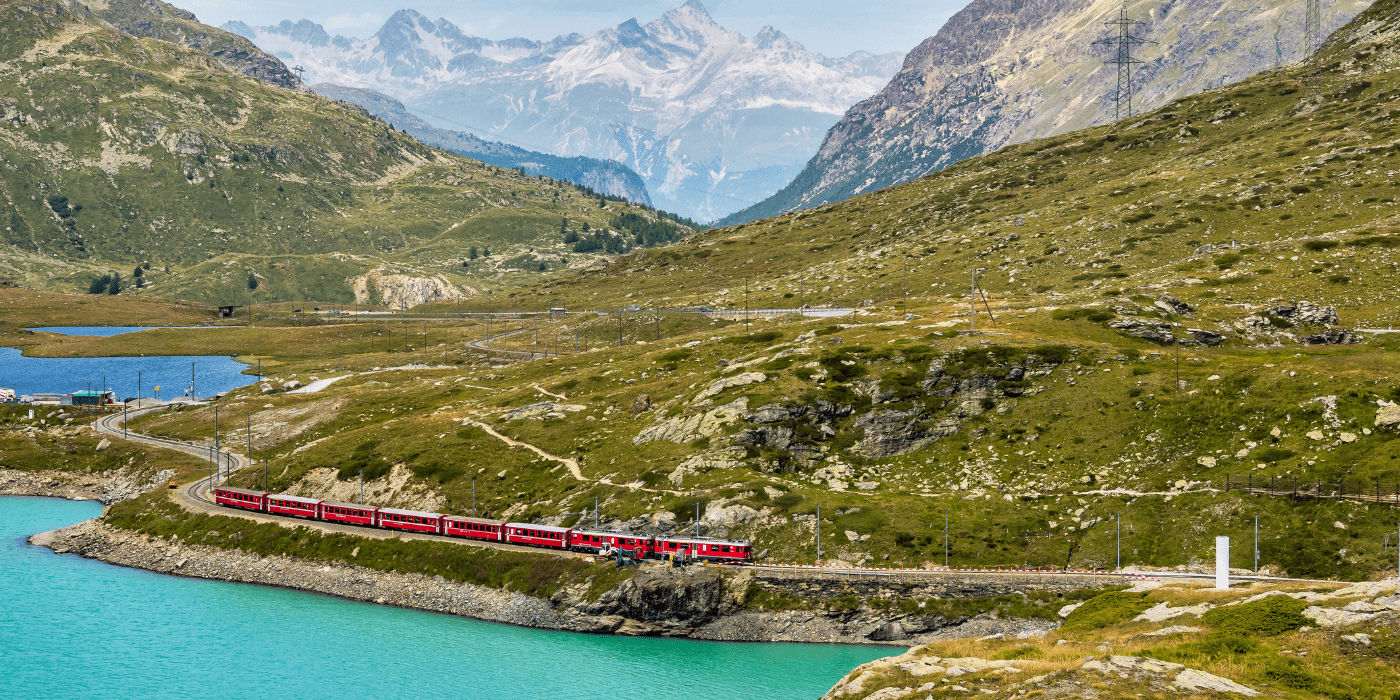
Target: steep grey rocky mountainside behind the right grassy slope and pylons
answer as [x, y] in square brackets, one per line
[1004, 72]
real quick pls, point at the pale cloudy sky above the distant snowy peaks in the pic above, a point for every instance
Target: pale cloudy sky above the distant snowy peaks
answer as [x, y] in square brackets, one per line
[828, 27]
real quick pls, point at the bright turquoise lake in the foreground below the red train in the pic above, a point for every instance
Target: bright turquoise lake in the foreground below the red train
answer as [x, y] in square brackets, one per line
[82, 629]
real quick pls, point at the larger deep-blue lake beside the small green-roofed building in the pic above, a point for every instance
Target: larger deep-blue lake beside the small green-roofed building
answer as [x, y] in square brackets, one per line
[213, 374]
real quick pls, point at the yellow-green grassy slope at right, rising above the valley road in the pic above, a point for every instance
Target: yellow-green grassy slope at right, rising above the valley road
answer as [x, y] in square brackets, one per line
[1282, 187]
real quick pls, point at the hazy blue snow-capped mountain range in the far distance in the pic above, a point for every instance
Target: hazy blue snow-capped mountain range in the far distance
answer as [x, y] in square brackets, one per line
[713, 121]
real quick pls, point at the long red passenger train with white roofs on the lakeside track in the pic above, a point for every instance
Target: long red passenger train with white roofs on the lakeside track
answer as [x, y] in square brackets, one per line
[549, 537]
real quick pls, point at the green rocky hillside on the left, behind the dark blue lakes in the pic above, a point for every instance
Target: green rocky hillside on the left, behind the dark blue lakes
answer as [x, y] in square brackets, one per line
[206, 177]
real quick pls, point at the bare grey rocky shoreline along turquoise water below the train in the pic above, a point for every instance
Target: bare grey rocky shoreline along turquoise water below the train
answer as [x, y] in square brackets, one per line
[702, 603]
